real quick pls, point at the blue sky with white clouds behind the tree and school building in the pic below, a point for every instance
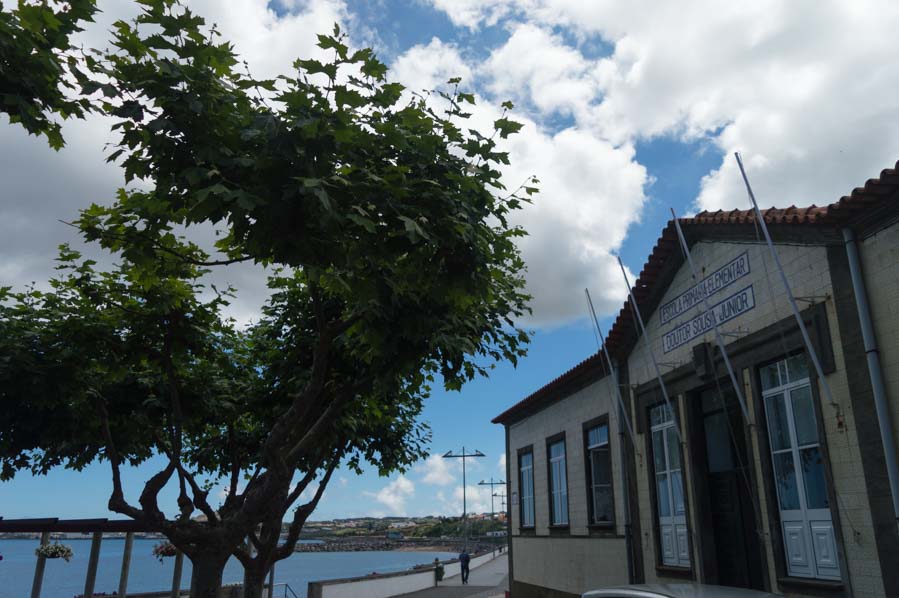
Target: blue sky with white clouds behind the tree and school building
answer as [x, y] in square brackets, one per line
[628, 111]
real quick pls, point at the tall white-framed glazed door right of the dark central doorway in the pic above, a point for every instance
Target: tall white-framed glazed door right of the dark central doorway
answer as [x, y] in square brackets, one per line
[809, 537]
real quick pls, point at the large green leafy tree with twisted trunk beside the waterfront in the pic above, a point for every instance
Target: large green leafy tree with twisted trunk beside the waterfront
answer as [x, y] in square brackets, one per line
[398, 269]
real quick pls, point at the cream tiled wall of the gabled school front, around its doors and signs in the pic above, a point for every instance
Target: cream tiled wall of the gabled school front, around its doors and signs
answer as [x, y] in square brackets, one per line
[807, 269]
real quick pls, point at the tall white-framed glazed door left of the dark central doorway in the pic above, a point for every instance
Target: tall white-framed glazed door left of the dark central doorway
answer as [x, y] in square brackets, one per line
[674, 542]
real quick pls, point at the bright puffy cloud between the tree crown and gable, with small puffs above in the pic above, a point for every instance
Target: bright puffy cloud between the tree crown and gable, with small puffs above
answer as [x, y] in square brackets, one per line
[591, 190]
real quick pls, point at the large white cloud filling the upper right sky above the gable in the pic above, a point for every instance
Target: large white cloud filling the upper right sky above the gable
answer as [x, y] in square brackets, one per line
[803, 89]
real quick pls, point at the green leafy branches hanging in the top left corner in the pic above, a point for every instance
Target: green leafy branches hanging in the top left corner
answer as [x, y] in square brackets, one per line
[38, 67]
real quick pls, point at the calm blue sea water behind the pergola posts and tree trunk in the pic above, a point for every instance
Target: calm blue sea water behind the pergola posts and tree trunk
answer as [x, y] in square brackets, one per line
[65, 580]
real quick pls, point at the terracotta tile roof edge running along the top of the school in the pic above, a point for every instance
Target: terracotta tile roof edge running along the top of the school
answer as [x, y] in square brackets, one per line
[623, 329]
